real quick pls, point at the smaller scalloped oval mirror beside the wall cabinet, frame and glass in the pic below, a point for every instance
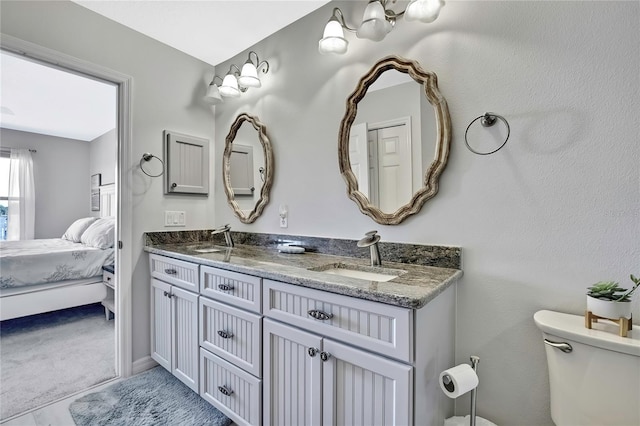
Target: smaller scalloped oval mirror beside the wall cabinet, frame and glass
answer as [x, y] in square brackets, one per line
[247, 165]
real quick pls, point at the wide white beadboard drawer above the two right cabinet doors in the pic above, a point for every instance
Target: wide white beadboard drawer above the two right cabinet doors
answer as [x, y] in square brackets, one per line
[378, 327]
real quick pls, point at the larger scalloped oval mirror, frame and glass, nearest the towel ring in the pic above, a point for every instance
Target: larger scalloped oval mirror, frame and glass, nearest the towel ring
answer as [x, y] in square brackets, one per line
[394, 142]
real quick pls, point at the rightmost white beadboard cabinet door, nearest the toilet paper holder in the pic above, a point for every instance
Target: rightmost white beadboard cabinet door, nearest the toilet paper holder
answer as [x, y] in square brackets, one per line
[360, 388]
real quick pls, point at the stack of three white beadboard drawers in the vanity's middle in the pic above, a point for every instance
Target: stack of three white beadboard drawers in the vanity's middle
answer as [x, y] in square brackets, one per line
[231, 343]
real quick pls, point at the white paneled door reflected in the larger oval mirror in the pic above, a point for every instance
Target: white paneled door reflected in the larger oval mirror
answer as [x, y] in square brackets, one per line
[394, 168]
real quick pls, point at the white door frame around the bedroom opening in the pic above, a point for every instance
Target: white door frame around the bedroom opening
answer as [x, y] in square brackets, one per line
[123, 254]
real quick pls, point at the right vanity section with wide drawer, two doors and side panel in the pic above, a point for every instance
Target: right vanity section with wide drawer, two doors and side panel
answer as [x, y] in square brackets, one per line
[327, 359]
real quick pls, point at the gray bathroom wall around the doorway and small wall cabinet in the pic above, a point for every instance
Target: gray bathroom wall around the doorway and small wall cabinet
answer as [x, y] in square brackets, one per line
[73, 30]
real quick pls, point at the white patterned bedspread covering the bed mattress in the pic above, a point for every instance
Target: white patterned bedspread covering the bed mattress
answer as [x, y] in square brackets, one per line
[29, 262]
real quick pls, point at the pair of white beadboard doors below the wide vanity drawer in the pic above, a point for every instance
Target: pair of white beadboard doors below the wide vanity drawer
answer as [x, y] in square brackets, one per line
[314, 380]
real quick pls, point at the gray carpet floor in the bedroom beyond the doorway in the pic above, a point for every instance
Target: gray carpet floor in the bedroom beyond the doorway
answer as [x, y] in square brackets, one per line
[48, 356]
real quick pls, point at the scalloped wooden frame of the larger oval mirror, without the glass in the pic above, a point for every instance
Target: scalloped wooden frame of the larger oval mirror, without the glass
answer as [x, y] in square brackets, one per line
[443, 139]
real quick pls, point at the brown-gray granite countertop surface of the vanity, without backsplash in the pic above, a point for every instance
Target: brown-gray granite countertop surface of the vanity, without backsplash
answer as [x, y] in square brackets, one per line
[414, 288]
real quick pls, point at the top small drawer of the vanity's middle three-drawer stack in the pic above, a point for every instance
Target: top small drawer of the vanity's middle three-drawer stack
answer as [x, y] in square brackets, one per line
[234, 288]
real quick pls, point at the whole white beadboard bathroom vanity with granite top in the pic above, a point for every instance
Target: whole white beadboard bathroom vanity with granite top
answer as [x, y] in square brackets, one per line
[273, 338]
